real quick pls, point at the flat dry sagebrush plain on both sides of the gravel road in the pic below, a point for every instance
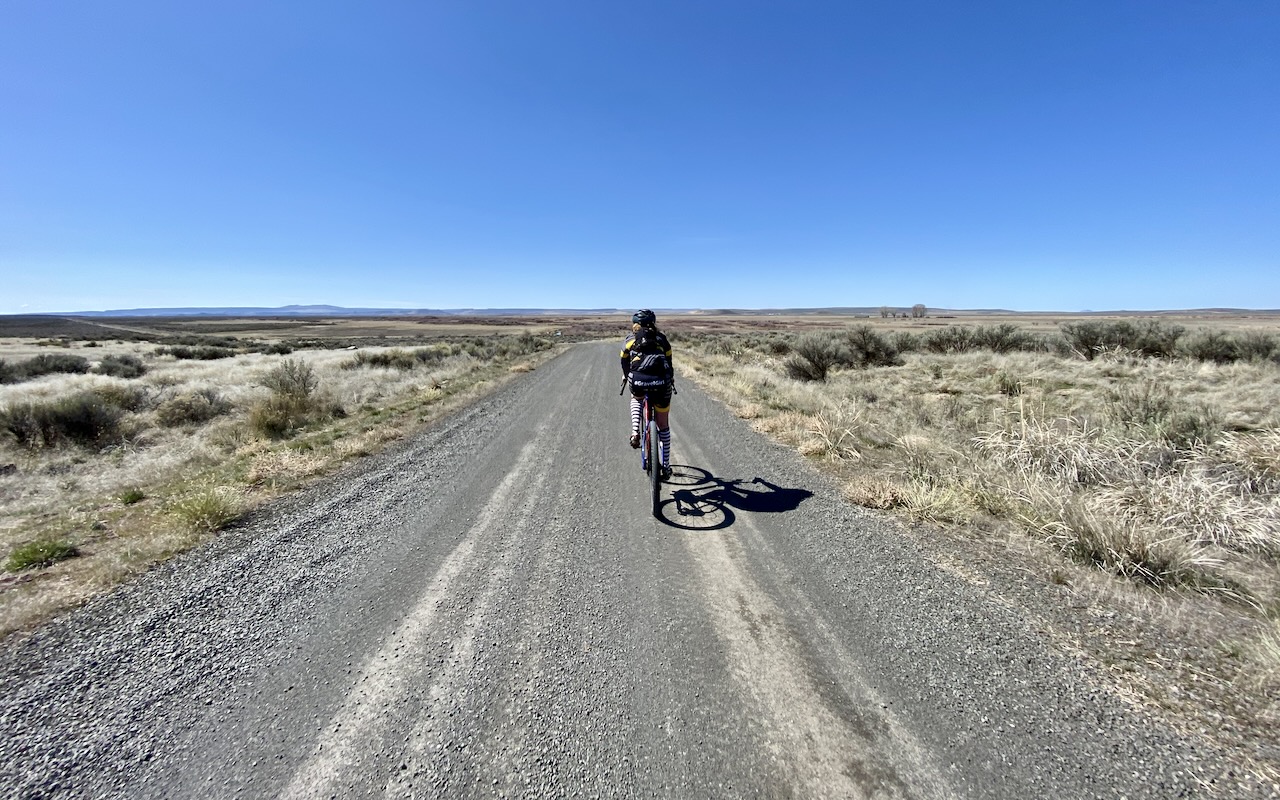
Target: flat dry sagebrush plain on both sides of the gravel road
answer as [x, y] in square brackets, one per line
[1173, 604]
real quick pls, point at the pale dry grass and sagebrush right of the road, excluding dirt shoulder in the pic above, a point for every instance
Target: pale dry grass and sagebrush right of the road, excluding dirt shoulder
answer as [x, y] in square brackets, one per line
[1137, 450]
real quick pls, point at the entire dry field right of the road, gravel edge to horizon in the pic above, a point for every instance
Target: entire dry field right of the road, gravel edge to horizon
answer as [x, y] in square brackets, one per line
[1135, 497]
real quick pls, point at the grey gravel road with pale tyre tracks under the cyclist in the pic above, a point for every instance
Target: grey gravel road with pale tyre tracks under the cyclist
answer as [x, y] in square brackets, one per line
[491, 611]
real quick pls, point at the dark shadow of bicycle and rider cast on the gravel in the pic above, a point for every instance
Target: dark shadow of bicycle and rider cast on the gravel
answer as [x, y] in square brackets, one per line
[700, 501]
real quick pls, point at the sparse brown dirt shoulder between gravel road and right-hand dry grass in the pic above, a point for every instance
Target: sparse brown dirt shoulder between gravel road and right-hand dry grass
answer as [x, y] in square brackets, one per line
[1174, 655]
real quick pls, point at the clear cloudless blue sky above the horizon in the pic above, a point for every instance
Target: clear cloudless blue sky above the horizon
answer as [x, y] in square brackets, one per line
[665, 154]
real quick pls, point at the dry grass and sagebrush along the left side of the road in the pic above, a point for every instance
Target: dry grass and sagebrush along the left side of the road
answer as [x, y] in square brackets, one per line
[118, 455]
